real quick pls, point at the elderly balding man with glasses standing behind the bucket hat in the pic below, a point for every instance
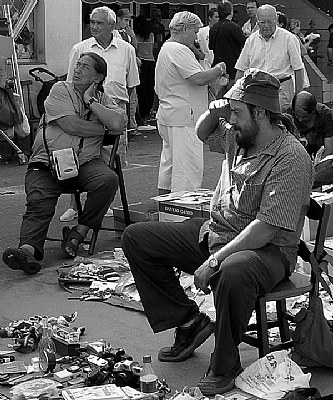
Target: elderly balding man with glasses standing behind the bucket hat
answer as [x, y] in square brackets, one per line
[274, 50]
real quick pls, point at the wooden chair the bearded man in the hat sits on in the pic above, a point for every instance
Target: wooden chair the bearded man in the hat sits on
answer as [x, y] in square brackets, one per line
[296, 285]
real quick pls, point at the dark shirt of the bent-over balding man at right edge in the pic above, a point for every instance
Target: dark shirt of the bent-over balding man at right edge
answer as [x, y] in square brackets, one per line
[321, 129]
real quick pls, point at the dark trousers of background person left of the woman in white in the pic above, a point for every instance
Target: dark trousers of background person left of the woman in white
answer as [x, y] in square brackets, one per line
[145, 90]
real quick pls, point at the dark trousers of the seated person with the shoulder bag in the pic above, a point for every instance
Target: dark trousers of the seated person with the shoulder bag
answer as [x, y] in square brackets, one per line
[43, 191]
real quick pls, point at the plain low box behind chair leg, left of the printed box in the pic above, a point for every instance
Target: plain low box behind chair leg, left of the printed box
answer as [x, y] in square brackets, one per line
[139, 212]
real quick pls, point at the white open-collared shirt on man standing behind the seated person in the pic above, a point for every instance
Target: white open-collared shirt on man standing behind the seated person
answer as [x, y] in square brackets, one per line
[120, 58]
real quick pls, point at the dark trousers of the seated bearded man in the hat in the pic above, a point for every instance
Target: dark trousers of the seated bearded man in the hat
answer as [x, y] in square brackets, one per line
[154, 248]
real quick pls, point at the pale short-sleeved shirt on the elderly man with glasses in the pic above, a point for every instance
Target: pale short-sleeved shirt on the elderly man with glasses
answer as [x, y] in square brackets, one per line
[280, 55]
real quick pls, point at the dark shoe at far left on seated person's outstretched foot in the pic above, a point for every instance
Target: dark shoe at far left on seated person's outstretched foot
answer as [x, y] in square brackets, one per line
[21, 259]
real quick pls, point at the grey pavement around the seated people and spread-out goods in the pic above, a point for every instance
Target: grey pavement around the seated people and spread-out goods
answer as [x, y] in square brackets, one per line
[23, 296]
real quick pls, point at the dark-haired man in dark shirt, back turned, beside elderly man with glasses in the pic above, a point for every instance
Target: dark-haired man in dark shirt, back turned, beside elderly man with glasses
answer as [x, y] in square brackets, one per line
[226, 39]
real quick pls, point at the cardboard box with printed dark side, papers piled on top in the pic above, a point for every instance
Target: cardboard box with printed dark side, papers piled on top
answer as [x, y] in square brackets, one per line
[178, 206]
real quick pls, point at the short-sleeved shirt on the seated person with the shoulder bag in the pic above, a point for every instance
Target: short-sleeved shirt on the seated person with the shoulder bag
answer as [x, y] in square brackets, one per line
[63, 101]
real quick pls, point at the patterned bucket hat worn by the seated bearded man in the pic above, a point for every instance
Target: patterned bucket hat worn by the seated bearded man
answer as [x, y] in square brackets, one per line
[257, 87]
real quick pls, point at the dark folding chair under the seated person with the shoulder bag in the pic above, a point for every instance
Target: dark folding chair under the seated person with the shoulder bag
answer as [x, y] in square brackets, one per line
[115, 164]
